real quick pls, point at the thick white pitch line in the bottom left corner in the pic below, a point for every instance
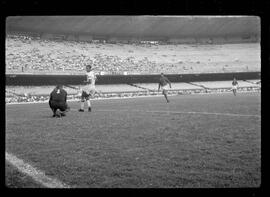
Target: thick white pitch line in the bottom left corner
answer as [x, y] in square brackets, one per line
[36, 174]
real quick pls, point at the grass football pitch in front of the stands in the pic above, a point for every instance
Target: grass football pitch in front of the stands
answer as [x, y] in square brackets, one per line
[206, 140]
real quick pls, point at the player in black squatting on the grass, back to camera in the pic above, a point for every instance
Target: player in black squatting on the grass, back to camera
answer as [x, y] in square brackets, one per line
[58, 100]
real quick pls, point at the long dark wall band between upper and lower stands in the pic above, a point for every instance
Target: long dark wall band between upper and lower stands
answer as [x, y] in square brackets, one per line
[43, 80]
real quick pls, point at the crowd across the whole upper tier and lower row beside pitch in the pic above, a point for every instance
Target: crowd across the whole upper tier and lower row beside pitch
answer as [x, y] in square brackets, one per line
[33, 54]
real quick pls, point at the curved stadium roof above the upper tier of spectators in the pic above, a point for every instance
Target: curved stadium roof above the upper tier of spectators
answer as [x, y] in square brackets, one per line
[138, 26]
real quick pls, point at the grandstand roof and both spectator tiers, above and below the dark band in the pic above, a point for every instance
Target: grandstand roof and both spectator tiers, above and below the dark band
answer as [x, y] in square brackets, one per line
[129, 45]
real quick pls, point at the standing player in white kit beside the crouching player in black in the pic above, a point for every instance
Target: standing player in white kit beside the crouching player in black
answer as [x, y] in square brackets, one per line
[89, 89]
